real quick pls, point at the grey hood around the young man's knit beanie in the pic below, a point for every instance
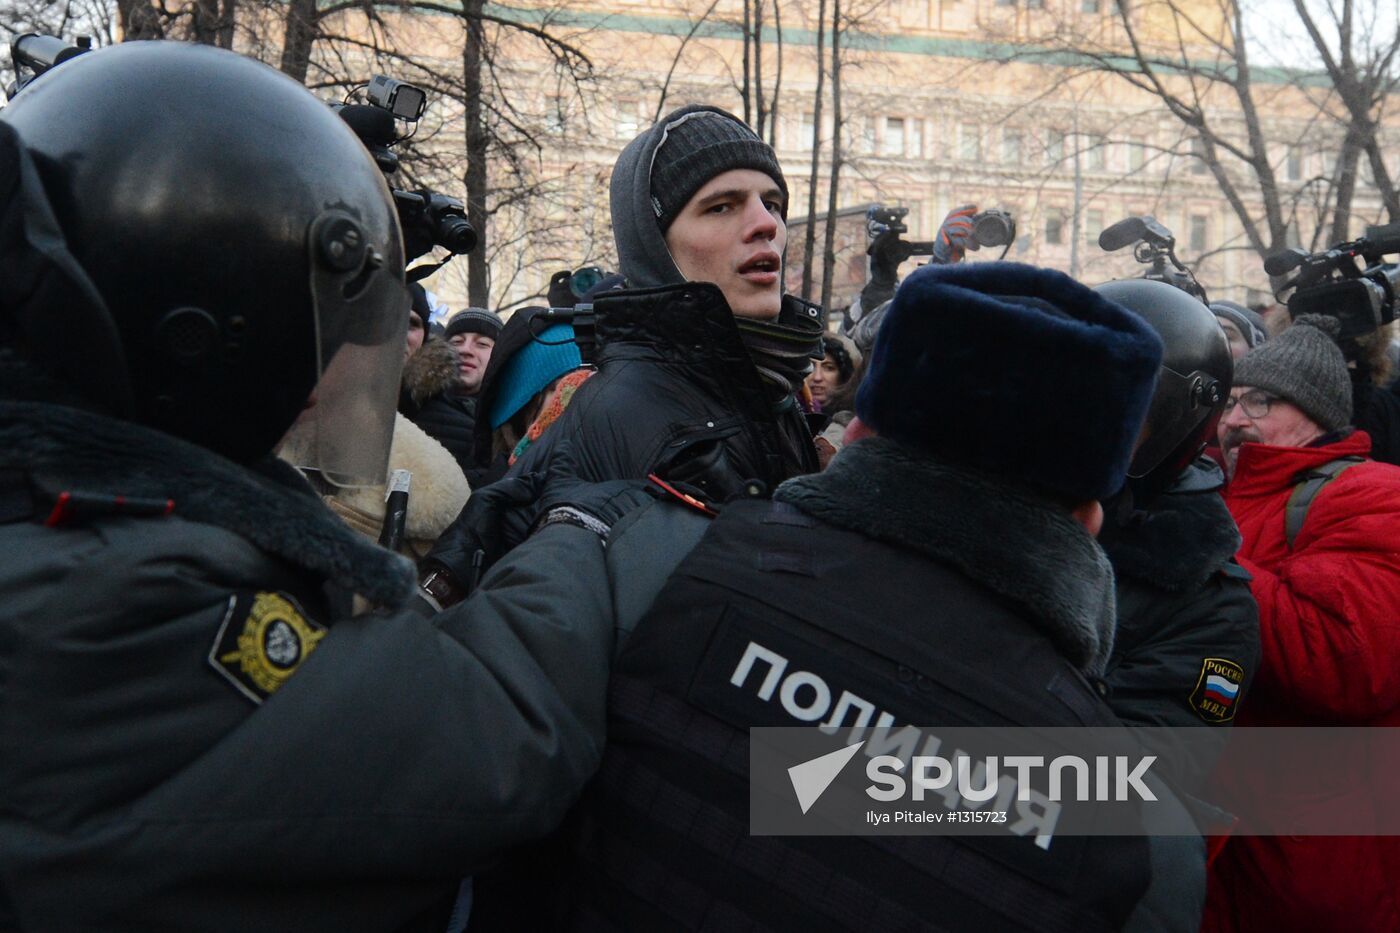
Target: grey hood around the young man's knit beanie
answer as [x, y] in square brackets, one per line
[642, 249]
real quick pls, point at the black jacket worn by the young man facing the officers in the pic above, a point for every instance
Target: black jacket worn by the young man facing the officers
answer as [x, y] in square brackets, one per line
[677, 394]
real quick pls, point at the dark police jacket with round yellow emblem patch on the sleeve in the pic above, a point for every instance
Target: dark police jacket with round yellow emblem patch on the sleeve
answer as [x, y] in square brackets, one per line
[194, 733]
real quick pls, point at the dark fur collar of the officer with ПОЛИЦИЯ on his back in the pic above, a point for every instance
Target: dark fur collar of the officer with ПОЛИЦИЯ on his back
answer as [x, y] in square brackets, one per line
[1006, 537]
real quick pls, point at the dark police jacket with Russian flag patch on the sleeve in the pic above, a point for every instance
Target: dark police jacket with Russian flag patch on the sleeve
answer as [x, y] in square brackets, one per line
[1185, 611]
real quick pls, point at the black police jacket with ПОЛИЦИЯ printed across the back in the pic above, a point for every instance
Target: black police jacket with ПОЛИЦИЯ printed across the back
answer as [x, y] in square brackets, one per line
[902, 582]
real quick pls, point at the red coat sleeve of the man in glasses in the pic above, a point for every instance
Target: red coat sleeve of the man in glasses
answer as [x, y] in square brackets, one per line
[1331, 610]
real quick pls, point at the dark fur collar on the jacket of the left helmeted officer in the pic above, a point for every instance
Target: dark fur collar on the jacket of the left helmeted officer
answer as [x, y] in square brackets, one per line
[267, 504]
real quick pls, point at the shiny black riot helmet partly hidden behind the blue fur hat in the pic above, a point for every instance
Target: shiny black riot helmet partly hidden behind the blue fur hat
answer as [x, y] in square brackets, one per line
[1192, 386]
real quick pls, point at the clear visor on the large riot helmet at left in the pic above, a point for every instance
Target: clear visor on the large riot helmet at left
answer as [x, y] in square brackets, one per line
[362, 330]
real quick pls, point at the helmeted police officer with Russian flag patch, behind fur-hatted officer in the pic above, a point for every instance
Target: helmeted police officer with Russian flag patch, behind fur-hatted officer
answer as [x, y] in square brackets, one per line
[1184, 603]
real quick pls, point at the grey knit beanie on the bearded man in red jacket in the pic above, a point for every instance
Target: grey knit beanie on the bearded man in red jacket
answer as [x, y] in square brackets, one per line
[1304, 366]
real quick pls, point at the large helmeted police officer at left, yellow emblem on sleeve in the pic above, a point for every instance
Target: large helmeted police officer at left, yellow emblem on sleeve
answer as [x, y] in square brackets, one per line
[197, 254]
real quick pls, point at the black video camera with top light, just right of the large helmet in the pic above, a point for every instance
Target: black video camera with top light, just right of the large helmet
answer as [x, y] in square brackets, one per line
[429, 219]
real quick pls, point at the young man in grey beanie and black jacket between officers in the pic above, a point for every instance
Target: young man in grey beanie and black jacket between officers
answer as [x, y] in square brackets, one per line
[702, 354]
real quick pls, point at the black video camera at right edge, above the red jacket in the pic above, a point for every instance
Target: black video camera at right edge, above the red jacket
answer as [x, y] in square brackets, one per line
[1360, 295]
